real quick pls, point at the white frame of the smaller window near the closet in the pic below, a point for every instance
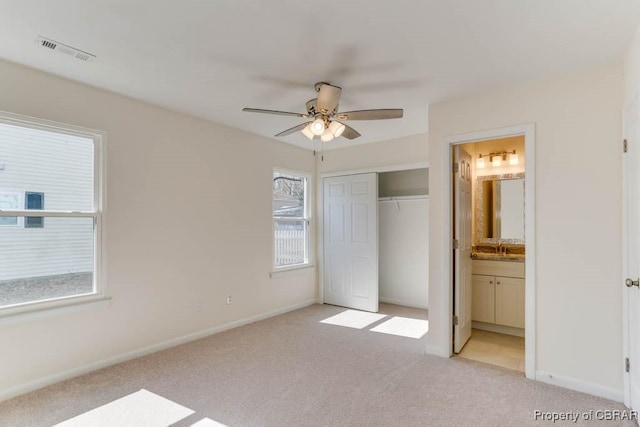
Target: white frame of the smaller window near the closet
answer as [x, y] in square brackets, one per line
[306, 218]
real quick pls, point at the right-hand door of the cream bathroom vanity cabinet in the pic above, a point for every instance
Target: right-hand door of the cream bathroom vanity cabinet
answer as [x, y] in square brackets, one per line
[510, 301]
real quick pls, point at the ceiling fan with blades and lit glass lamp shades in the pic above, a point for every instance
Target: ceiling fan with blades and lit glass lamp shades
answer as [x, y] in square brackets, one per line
[326, 121]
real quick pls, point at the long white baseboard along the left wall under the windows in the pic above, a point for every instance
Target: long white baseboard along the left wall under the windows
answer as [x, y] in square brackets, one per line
[81, 370]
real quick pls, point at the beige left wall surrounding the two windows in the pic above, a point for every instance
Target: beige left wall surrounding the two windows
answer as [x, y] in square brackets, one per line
[170, 265]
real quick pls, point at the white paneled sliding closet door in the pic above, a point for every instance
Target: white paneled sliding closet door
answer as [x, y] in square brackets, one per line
[351, 241]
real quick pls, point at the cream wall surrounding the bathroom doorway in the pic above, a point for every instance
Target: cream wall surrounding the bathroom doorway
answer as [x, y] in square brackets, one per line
[578, 209]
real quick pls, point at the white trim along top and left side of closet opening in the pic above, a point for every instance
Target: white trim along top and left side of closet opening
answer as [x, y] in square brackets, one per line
[320, 209]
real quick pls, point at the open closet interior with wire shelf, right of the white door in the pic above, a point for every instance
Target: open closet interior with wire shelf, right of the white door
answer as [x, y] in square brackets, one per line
[403, 232]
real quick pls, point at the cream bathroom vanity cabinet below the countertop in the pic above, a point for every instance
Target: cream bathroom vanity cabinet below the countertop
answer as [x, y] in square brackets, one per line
[498, 294]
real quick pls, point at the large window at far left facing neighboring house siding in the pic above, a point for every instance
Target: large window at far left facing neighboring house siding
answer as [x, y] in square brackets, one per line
[57, 263]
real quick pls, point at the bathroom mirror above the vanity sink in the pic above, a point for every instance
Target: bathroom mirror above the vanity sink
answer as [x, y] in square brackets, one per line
[499, 208]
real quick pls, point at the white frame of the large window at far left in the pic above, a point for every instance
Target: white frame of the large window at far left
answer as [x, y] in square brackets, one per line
[97, 214]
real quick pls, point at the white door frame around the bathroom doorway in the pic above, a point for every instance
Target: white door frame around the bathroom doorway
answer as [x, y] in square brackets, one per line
[528, 131]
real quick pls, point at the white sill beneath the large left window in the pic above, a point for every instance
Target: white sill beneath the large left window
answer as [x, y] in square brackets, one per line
[53, 308]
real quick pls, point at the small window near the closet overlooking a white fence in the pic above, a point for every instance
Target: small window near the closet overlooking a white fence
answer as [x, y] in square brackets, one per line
[291, 222]
